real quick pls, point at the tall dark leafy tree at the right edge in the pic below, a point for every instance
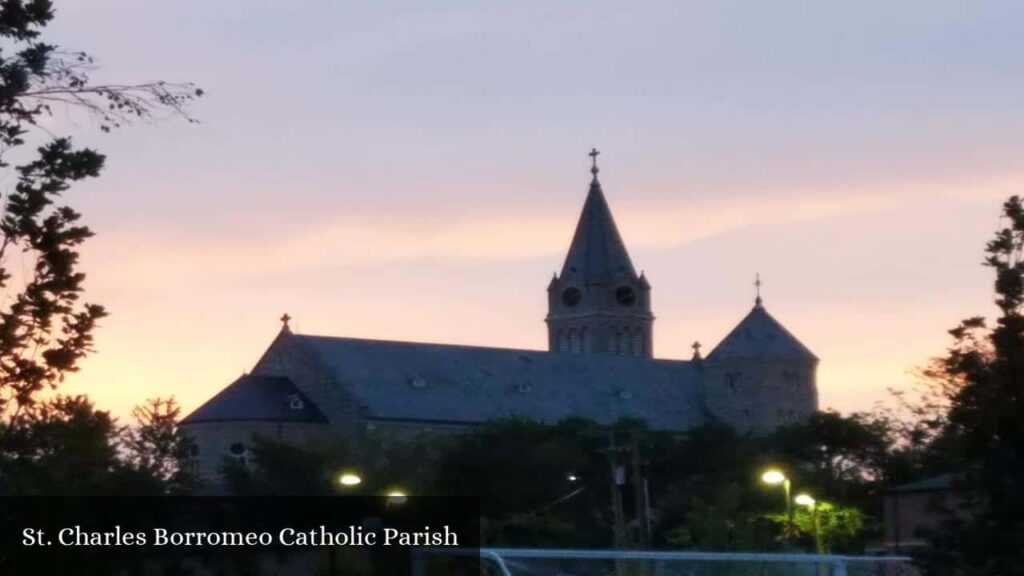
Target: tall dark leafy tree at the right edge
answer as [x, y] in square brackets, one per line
[986, 424]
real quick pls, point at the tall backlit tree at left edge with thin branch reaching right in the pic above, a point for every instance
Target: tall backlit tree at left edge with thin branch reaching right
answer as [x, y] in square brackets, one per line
[46, 330]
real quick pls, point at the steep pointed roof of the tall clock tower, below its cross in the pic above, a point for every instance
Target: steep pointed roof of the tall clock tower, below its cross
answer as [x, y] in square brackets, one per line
[598, 255]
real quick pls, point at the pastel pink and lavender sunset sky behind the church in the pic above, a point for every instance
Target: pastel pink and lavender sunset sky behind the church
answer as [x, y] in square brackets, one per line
[414, 172]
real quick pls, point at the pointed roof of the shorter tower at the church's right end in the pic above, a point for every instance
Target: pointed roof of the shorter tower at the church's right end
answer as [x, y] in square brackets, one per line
[760, 337]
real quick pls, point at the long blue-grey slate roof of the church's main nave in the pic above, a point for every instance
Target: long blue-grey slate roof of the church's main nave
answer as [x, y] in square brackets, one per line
[453, 384]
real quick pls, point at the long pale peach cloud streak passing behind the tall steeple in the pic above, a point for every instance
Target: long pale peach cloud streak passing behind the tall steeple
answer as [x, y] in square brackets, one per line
[515, 235]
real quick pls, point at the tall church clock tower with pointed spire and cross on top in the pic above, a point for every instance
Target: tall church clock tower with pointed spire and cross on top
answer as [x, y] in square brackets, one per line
[599, 304]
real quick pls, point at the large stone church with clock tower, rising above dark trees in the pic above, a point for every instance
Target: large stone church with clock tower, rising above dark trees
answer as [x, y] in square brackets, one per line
[600, 365]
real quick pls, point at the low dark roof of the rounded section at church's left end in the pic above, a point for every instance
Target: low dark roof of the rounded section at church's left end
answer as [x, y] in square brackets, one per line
[255, 397]
